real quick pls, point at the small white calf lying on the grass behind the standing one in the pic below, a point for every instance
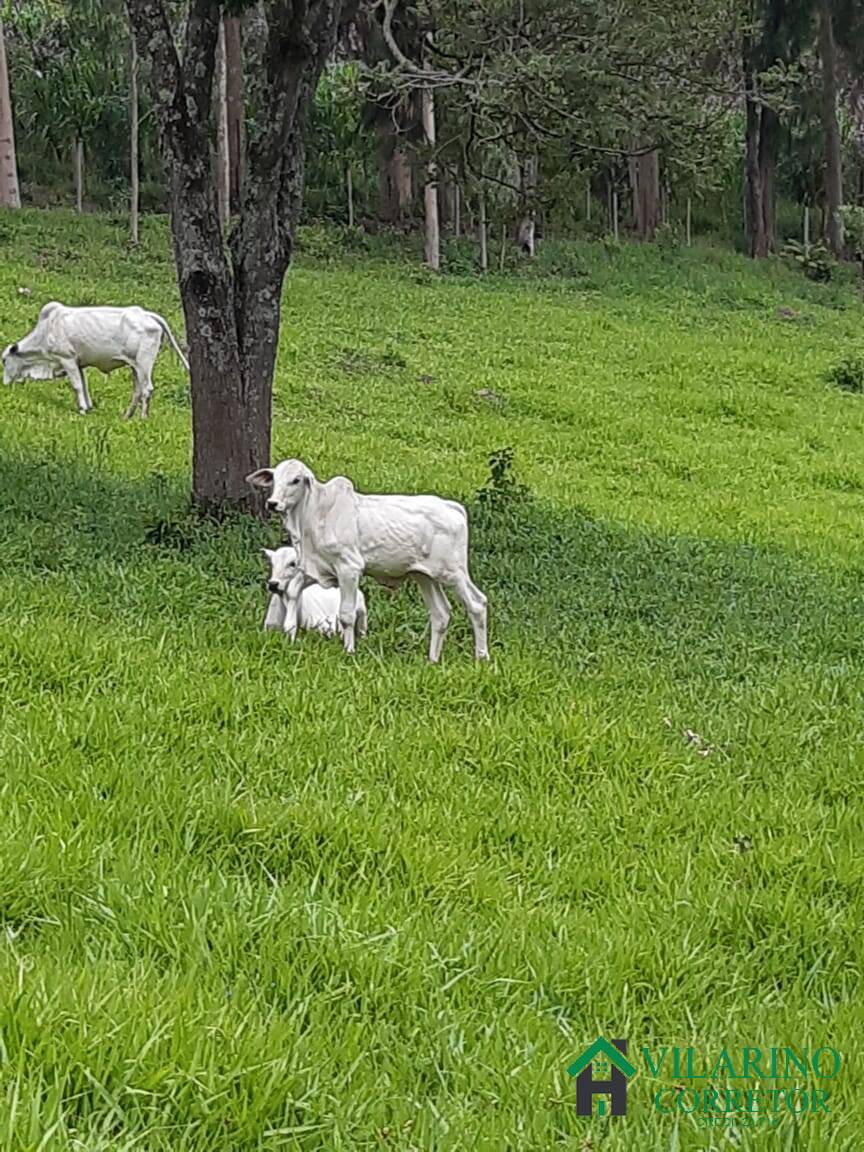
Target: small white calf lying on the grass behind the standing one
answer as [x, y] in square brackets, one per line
[294, 603]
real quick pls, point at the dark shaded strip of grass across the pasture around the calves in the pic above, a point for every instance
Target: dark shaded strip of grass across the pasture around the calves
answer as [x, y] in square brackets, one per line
[557, 579]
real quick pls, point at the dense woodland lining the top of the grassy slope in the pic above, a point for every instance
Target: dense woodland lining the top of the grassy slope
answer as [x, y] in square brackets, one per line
[562, 115]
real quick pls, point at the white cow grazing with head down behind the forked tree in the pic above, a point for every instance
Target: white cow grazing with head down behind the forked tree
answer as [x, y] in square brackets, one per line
[69, 340]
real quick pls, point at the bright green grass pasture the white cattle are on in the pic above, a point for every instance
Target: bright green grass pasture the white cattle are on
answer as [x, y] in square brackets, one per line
[263, 897]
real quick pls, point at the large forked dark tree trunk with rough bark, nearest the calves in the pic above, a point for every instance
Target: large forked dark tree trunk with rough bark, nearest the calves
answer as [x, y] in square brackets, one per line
[232, 305]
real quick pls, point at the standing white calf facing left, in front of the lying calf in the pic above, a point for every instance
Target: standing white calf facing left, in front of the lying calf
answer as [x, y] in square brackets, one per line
[342, 534]
